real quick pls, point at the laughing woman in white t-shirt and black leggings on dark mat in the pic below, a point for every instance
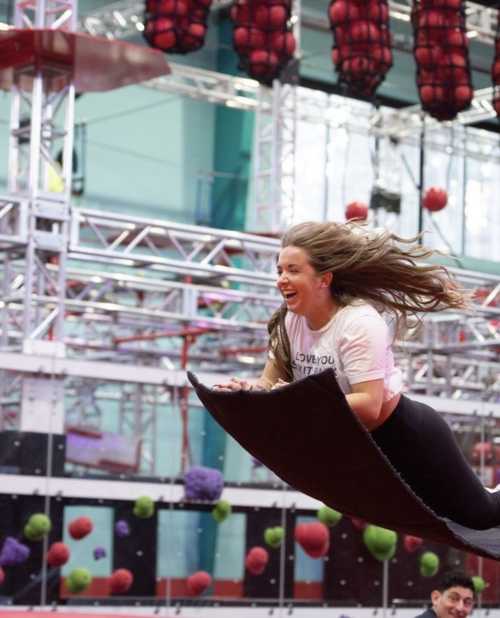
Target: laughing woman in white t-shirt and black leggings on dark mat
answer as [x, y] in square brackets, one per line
[336, 280]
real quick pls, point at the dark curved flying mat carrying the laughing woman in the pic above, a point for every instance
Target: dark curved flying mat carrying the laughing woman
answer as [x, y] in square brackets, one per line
[306, 433]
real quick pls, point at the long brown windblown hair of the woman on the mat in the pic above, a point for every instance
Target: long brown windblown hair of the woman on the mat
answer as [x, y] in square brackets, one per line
[375, 266]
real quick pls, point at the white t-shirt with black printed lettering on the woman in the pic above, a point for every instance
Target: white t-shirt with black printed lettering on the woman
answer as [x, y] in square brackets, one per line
[356, 344]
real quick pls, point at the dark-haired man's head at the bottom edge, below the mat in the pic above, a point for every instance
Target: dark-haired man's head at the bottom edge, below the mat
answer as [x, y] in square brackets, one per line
[454, 597]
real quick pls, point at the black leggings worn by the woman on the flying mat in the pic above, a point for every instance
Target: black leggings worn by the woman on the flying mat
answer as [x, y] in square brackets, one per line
[422, 448]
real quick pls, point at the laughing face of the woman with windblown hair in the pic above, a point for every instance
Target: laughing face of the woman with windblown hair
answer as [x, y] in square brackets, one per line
[298, 282]
